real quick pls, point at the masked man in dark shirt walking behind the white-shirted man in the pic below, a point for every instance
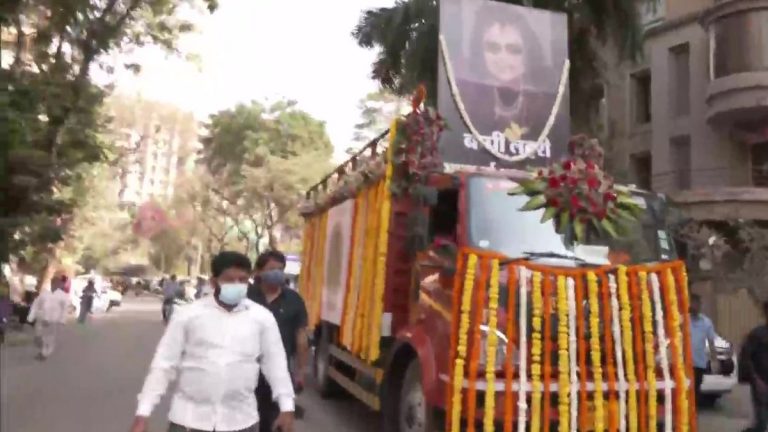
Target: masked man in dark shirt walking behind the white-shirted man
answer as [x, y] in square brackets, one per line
[288, 307]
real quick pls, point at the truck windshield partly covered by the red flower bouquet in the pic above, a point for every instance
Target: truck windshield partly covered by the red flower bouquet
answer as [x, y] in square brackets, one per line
[497, 223]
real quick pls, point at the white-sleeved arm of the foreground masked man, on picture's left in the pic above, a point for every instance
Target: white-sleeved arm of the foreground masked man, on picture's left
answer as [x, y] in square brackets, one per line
[163, 368]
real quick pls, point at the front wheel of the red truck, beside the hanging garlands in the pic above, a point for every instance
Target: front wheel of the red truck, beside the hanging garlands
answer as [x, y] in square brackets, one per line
[415, 414]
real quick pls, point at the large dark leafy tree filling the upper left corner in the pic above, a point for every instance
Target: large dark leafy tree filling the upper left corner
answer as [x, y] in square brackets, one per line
[53, 127]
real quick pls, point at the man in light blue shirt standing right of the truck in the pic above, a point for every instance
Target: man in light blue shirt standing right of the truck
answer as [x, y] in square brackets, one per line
[702, 344]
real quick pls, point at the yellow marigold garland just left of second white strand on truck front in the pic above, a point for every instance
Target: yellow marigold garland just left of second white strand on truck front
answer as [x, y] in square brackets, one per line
[563, 357]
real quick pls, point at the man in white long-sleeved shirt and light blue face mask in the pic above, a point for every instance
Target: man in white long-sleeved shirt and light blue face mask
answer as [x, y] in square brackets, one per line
[215, 349]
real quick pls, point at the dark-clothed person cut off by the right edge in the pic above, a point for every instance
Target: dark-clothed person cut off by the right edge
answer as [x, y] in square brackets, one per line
[754, 369]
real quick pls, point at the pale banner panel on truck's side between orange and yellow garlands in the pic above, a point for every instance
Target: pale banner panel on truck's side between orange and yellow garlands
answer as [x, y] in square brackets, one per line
[337, 249]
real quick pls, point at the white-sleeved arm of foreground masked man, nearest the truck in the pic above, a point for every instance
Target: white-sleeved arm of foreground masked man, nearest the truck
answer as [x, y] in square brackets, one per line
[274, 364]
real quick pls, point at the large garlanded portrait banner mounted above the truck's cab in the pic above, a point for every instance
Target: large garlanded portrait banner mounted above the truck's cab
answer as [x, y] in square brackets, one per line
[506, 62]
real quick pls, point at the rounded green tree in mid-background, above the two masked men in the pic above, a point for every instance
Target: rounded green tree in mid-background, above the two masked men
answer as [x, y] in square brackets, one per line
[263, 159]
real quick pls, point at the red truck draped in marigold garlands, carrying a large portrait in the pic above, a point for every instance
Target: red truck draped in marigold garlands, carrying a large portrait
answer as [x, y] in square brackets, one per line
[507, 285]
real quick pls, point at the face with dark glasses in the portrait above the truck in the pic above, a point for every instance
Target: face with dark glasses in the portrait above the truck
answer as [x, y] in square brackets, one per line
[503, 52]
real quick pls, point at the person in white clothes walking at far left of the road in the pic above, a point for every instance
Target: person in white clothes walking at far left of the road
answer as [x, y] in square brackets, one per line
[48, 311]
